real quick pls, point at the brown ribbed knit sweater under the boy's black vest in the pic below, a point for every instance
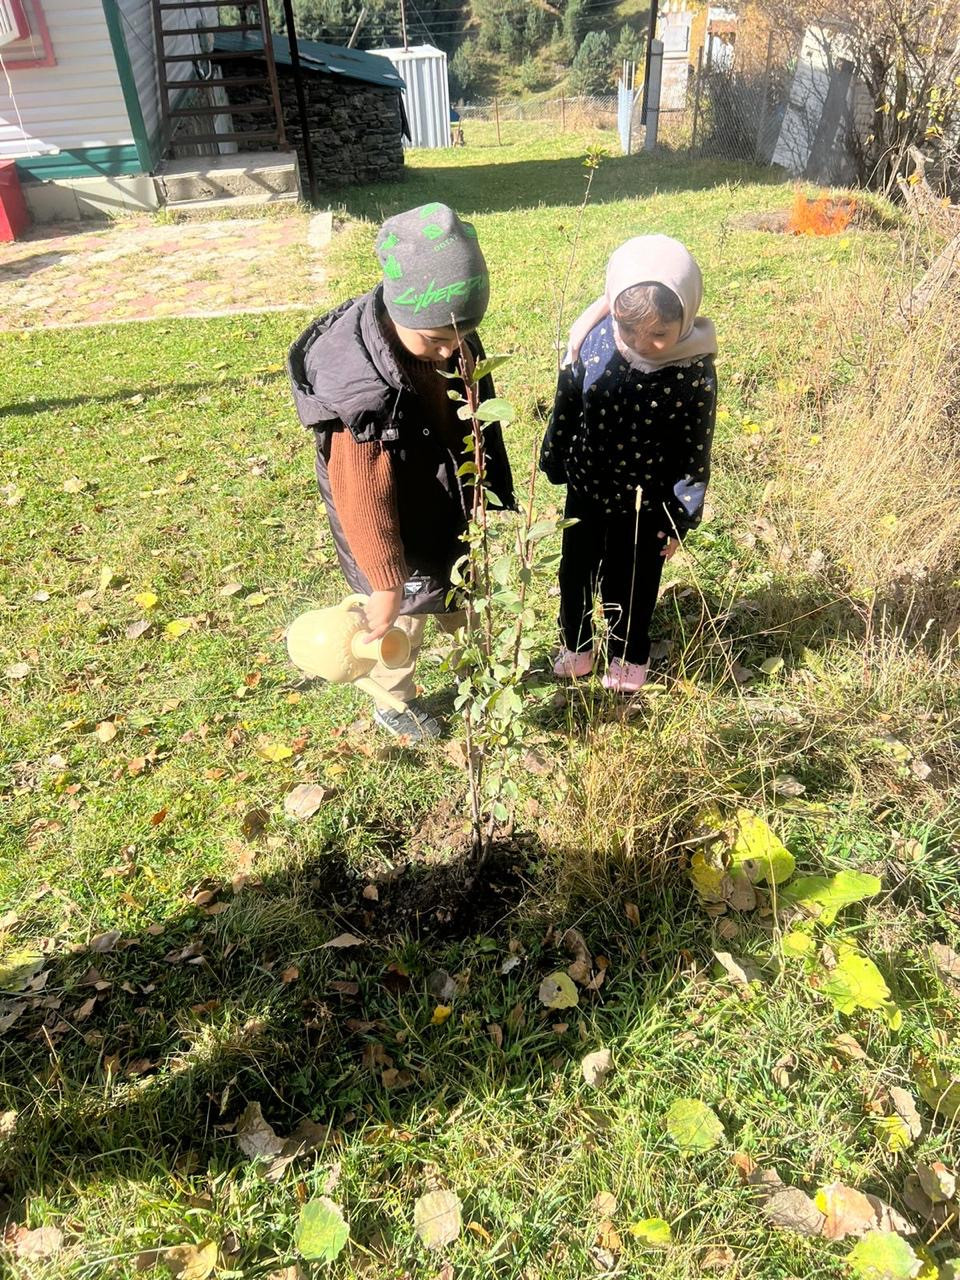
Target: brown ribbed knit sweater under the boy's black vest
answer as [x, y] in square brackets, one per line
[363, 484]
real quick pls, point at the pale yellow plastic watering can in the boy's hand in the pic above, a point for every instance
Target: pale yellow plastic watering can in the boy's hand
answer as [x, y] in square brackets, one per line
[330, 643]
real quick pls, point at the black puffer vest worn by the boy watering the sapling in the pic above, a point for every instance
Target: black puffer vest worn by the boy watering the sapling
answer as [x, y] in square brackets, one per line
[345, 376]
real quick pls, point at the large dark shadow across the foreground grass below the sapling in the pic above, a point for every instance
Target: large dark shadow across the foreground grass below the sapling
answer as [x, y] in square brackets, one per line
[141, 1059]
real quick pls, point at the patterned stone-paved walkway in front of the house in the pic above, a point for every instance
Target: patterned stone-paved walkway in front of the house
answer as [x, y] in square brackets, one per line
[138, 269]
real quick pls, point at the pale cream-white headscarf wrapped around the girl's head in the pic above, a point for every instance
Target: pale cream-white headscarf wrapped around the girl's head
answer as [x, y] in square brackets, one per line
[652, 260]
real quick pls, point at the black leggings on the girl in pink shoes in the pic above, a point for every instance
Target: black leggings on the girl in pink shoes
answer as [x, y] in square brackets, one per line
[611, 556]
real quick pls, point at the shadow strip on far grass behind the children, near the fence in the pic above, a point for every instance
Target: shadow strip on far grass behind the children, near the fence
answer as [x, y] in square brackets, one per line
[505, 185]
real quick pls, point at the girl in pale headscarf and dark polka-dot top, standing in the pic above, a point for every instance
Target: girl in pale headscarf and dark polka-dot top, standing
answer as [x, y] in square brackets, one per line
[630, 437]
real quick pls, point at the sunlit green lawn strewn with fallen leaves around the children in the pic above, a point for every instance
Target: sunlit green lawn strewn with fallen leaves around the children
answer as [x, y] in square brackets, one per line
[172, 921]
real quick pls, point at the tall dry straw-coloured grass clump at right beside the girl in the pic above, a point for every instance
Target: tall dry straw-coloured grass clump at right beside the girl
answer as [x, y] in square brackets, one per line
[870, 454]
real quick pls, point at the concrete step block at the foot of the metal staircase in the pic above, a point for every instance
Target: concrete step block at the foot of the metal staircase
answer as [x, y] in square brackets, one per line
[245, 175]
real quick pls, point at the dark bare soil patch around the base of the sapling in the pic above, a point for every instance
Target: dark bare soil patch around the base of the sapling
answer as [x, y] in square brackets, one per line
[431, 900]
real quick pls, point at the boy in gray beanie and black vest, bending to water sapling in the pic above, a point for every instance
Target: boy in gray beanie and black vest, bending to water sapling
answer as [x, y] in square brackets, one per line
[367, 381]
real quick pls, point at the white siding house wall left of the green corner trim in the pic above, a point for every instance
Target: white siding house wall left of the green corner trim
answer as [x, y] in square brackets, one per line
[76, 104]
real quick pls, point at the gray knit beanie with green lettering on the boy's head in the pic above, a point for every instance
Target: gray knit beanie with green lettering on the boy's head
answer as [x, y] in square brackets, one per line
[435, 273]
